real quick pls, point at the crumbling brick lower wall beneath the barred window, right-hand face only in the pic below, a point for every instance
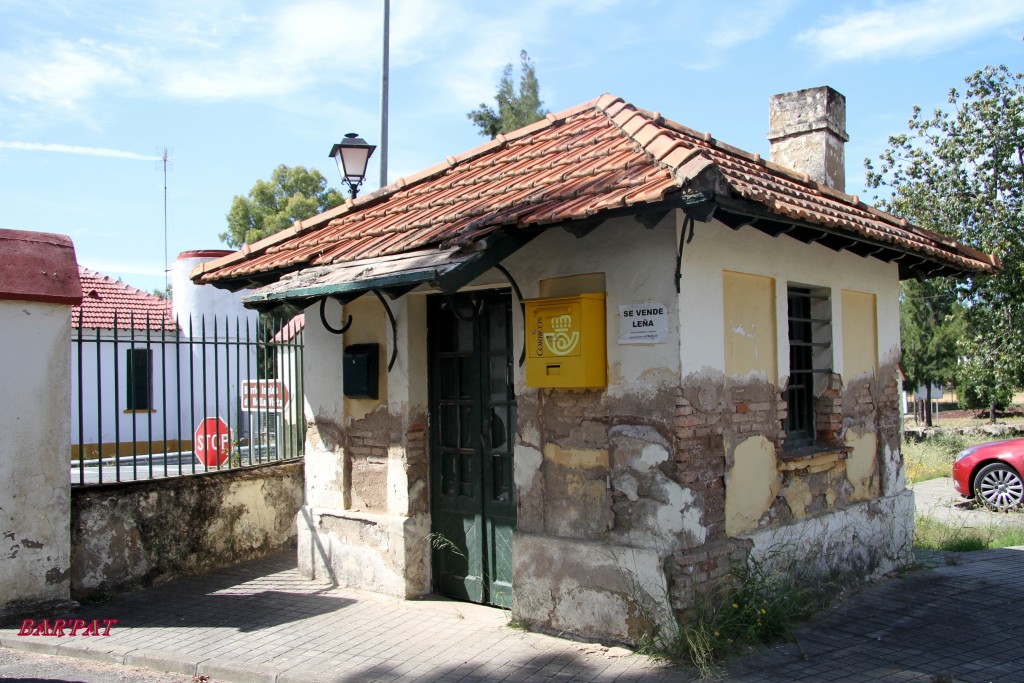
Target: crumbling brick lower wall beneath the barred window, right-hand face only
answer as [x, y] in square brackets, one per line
[827, 510]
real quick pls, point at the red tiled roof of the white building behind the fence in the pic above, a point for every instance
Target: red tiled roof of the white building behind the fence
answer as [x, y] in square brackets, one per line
[104, 297]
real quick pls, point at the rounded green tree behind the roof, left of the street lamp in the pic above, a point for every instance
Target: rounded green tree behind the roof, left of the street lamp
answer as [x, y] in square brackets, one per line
[292, 194]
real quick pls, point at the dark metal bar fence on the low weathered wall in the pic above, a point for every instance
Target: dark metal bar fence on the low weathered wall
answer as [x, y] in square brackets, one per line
[217, 394]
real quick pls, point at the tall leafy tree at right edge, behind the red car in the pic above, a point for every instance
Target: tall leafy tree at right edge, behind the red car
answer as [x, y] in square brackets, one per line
[962, 174]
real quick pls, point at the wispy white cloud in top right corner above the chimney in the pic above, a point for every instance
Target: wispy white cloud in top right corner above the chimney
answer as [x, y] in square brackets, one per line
[915, 28]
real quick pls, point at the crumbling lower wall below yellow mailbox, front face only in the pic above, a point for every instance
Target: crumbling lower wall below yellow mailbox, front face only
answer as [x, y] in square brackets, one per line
[604, 503]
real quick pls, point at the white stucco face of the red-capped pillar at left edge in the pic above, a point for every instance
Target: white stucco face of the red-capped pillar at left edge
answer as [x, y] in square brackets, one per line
[34, 454]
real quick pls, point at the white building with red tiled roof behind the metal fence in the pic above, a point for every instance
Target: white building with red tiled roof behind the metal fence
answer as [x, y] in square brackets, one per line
[142, 375]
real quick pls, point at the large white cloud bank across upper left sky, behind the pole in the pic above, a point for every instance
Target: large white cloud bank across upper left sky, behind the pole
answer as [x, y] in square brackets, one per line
[201, 52]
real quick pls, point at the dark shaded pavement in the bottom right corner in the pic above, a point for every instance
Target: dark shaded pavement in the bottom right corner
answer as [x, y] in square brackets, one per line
[956, 623]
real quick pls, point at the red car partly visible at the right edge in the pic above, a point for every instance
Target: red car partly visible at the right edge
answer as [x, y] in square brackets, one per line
[992, 474]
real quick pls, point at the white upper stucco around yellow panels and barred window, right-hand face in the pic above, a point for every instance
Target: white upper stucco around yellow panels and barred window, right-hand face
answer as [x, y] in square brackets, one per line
[716, 248]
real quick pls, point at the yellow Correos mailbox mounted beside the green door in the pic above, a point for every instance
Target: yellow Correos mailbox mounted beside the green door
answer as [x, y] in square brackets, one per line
[566, 343]
